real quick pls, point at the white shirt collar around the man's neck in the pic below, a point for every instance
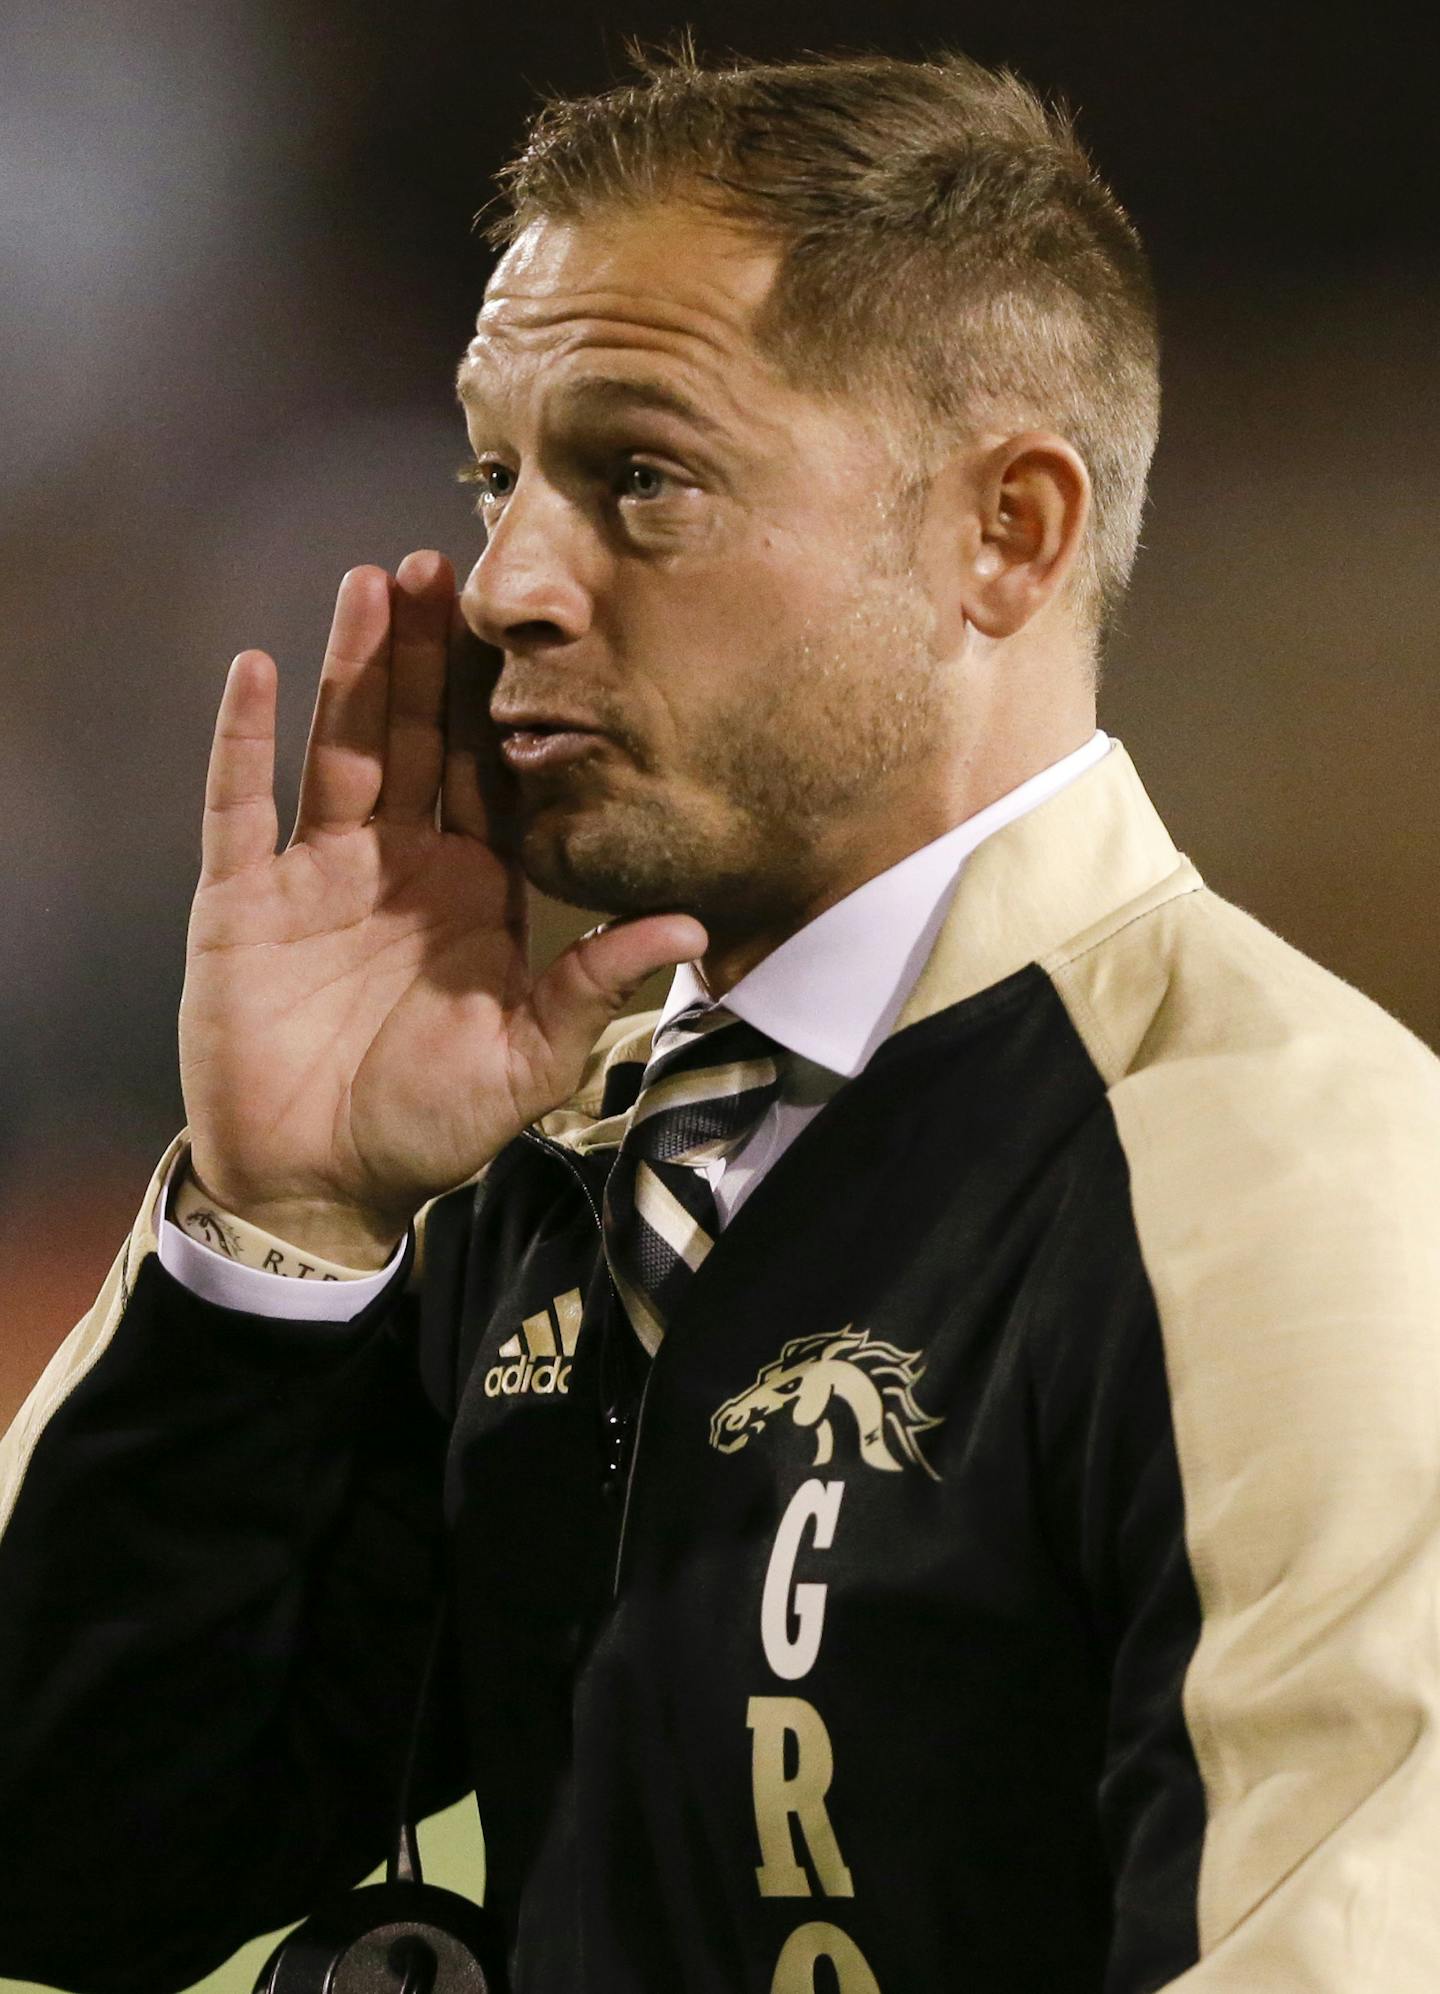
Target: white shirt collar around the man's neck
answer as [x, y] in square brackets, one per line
[835, 990]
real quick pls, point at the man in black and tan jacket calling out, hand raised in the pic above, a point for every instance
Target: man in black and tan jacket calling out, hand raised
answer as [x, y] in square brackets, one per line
[932, 1445]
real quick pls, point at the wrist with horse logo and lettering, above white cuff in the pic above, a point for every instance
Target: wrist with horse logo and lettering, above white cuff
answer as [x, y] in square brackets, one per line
[310, 1239]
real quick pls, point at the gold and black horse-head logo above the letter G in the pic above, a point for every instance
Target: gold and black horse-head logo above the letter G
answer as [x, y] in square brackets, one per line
[871, 1377]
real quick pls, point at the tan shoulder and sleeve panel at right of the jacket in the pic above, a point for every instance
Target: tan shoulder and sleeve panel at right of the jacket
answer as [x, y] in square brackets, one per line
[1283, 1140]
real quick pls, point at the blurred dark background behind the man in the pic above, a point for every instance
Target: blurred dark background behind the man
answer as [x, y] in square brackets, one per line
[238, 270]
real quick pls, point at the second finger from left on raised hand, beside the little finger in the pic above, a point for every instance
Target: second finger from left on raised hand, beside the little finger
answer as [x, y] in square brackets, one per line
[346, 751]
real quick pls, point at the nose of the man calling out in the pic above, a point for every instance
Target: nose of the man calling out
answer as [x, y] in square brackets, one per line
[532, 585]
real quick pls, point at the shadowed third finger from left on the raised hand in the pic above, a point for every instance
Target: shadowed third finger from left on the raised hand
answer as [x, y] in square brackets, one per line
[416, 725]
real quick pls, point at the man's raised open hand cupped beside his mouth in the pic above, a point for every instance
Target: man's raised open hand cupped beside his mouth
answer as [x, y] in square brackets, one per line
[360, 1028]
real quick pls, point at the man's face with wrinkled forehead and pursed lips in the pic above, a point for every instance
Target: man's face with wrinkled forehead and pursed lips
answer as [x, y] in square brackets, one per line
[719, 677]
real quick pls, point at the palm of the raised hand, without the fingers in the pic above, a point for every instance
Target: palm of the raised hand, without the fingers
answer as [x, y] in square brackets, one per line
[354, 1012]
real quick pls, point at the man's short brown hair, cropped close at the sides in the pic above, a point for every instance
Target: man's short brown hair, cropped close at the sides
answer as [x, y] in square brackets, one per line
[946, 248]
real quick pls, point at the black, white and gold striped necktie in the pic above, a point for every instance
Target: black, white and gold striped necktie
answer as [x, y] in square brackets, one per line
[709, 1082]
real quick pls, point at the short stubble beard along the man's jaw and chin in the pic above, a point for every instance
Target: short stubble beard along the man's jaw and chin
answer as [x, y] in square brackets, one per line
[811, 745]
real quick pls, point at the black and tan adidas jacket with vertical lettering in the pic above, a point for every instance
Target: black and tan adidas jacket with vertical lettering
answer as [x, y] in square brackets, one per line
[881, 1618]
